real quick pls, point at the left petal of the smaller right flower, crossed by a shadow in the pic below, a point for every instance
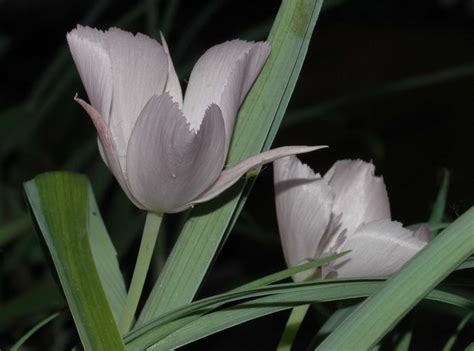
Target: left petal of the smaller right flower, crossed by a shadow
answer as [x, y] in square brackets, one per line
[303, 206]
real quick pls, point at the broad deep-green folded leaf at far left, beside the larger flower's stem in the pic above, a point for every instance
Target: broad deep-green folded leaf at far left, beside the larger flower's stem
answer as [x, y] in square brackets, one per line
[60, 203]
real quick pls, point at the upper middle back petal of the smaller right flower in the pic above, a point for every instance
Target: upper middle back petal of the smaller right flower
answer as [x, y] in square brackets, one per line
[360, 196]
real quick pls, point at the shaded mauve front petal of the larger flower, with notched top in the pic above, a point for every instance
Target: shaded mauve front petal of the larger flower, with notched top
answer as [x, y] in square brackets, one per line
[168, 164]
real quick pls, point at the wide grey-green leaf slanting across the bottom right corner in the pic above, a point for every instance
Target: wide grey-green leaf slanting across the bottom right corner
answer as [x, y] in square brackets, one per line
[379, 313]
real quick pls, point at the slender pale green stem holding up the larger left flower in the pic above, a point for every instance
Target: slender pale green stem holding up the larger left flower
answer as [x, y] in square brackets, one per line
[150, 234]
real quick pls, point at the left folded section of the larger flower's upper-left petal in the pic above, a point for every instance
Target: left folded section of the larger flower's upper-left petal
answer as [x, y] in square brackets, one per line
[94, 67]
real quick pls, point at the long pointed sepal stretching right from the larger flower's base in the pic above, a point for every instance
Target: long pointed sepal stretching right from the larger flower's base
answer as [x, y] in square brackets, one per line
[231, 175]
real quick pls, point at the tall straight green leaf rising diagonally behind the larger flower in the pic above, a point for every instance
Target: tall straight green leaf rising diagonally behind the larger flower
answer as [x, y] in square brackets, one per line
[256, 125]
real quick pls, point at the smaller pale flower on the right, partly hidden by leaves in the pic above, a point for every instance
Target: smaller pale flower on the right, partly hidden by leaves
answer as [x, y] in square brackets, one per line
[347, 209]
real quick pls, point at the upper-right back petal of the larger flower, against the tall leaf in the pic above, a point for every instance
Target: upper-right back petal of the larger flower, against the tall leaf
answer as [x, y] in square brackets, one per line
[223, 75]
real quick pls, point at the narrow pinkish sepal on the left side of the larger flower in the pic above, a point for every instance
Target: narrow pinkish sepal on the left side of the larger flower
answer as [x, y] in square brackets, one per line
[107, 148]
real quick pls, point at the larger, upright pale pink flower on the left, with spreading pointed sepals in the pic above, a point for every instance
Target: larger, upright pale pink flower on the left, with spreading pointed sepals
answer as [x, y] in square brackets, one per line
[167, 152]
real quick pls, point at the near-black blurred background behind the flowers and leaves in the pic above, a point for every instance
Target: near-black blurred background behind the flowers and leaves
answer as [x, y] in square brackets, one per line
[387, 81]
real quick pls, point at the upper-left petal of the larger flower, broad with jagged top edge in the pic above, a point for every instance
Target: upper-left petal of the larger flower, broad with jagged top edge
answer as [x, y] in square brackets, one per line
[139, 70]
